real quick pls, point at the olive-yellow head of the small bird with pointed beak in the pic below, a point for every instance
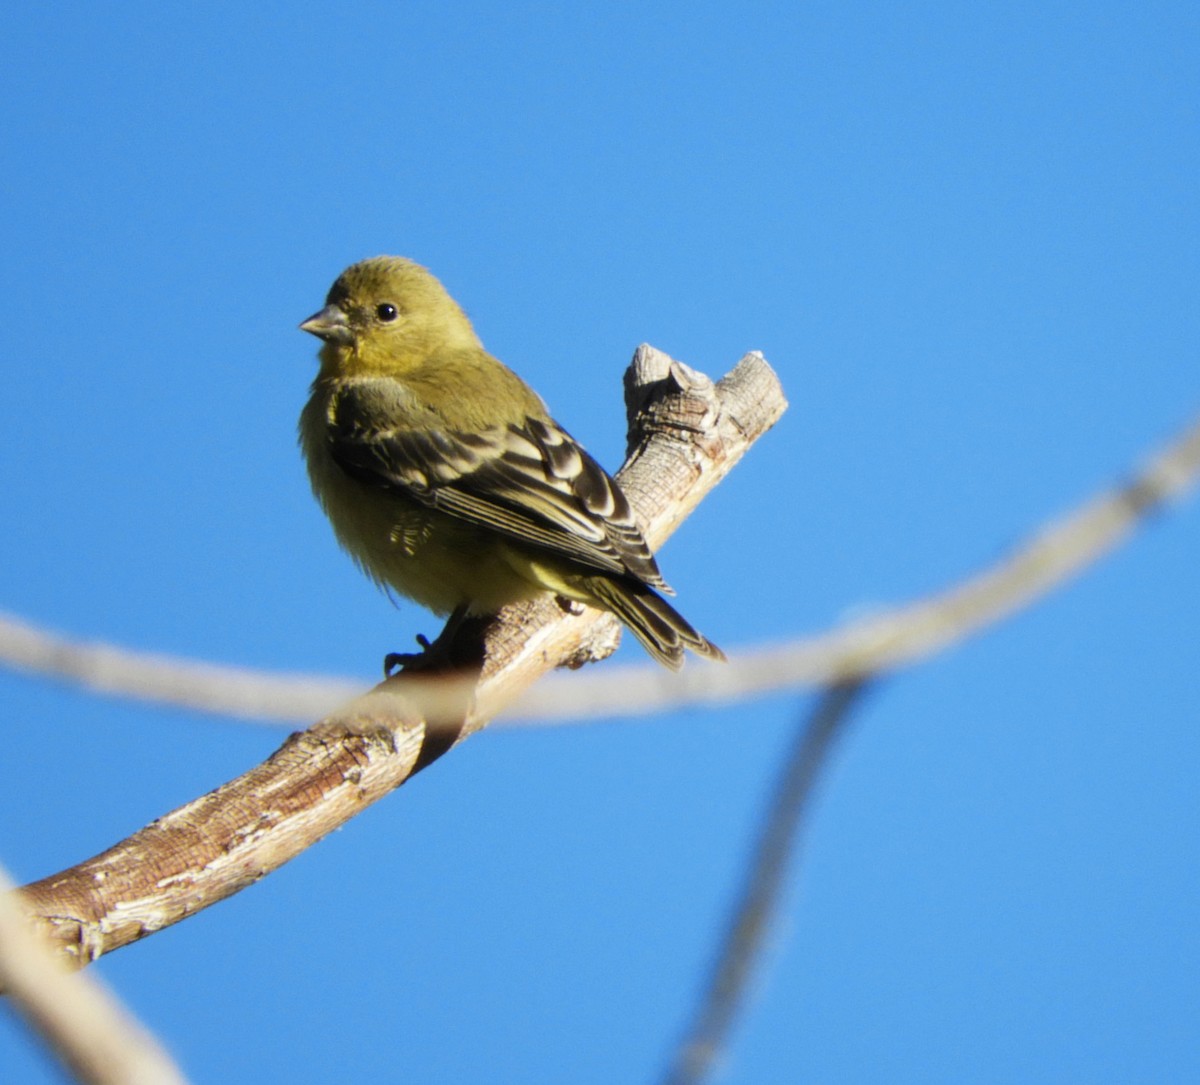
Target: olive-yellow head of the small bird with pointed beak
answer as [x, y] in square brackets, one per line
[387, 315]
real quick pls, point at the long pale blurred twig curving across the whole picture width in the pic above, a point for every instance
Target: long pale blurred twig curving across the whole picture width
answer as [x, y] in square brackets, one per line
[1051, 558]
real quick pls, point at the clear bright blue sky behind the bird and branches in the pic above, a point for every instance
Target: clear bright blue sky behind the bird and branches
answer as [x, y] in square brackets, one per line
[965, 236]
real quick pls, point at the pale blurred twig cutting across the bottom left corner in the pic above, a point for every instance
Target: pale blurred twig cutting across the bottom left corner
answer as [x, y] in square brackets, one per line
[86, 1027]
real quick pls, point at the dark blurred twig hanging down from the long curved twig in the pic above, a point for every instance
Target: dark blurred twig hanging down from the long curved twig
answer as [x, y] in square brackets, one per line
[742, 948]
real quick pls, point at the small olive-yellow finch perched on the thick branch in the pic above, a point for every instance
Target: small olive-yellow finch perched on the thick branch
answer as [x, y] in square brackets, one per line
[447, 479]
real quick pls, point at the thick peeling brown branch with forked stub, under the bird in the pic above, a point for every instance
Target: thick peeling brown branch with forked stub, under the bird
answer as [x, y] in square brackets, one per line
[686, 435]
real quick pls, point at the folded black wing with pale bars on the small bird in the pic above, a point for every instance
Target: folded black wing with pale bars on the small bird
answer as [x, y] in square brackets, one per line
[530, 481]
